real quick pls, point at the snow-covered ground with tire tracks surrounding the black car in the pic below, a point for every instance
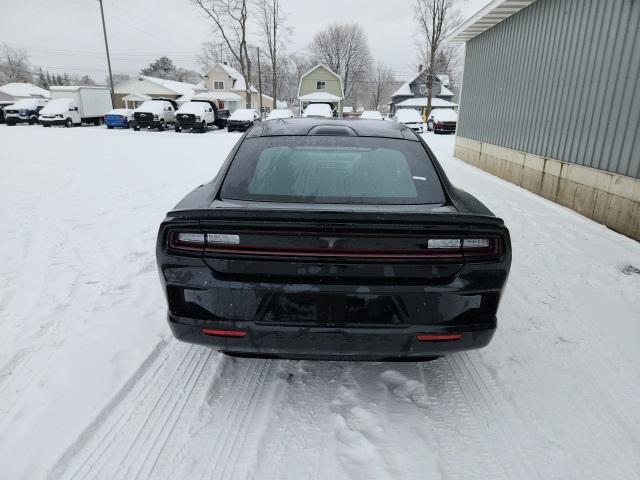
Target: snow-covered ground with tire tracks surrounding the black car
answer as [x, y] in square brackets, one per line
[92, 385]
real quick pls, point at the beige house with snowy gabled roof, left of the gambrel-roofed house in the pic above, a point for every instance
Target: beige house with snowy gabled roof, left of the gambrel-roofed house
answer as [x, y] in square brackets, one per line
[228, 85]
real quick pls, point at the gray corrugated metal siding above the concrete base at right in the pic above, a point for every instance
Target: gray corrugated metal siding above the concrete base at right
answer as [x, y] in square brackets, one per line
[559, 79]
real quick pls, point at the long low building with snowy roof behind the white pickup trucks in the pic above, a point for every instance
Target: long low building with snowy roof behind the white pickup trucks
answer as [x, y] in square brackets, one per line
[131, 93]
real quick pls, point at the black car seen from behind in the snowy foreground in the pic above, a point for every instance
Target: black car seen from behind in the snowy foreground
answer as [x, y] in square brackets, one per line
[333, 239]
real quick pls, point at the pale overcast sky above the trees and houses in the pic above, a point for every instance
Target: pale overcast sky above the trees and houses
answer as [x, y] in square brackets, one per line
[66, 35]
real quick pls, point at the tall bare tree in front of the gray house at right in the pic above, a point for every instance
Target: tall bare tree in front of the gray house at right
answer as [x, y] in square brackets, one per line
[436, 19]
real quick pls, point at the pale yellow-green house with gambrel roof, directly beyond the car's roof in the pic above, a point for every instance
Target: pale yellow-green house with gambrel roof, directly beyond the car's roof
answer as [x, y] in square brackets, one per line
[321, 85]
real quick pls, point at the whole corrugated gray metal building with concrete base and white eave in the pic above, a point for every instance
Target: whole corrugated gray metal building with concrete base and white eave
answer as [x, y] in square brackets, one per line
[551, 101]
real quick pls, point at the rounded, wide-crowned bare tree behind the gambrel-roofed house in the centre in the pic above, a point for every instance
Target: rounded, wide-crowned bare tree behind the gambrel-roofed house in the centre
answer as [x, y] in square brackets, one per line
[344, 49]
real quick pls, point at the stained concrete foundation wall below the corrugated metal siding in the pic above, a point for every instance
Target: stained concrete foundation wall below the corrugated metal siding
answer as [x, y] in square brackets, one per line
[607, 198]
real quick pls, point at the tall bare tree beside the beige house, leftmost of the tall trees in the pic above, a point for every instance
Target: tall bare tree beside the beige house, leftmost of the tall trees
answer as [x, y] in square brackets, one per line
[229, 19]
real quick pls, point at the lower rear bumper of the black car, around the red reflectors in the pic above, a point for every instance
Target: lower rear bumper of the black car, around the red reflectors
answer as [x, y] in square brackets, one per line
[330, 342]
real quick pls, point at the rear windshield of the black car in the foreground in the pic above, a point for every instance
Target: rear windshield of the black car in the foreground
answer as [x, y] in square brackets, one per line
[324, 169]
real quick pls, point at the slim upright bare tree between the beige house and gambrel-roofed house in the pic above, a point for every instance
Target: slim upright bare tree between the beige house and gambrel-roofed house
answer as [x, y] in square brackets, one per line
[275, 32]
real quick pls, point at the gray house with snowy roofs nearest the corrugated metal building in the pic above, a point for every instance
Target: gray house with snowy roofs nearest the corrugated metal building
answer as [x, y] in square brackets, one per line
[413, 94]
